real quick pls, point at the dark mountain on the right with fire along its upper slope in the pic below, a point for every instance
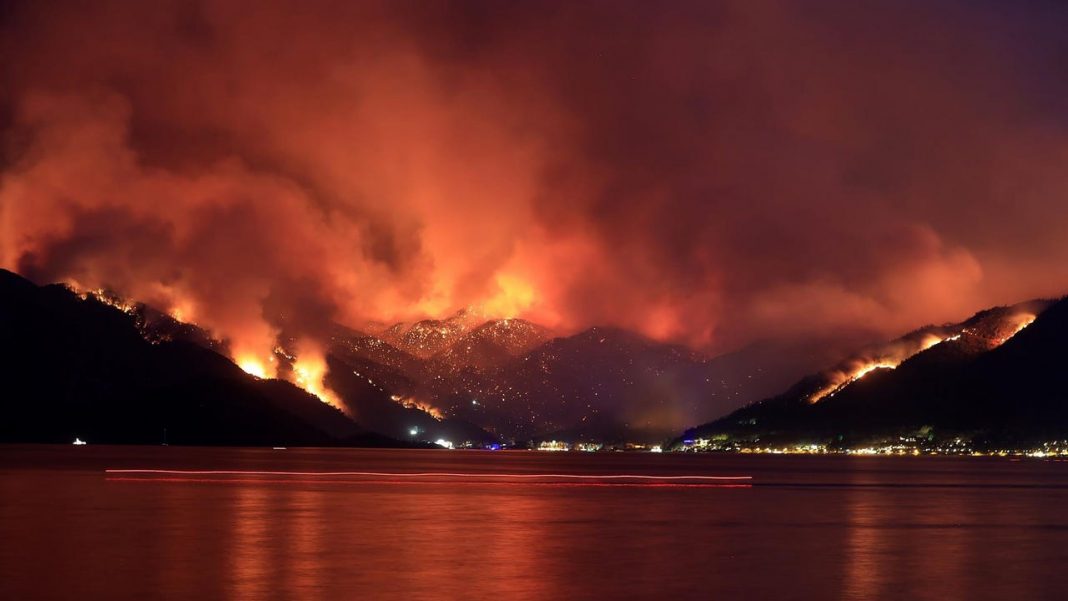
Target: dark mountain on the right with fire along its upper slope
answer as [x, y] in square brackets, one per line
[997, 379]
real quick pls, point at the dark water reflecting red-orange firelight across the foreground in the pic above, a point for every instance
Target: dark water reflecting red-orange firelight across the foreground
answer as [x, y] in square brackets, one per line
[809, 528]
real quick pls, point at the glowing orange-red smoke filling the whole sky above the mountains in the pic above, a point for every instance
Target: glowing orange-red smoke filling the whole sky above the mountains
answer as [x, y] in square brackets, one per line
[709, 172]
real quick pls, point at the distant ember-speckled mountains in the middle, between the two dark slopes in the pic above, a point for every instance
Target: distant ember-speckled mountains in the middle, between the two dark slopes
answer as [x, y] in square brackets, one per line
[604, 384]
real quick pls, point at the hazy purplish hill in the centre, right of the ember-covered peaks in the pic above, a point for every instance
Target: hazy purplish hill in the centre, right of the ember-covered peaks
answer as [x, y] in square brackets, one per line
[607, 385]
